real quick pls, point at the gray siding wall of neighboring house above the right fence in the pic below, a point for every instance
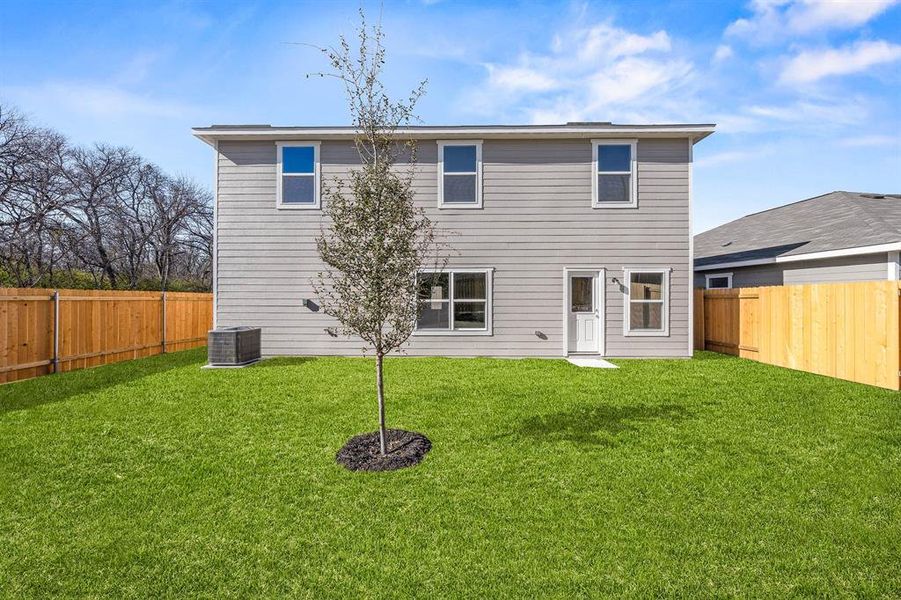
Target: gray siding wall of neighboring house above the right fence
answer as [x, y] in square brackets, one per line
[868, 267]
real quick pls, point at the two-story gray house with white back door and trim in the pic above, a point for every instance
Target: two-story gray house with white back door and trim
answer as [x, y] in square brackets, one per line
[565, 238]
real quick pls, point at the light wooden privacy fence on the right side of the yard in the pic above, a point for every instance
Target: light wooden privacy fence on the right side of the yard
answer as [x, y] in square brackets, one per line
[847, 330]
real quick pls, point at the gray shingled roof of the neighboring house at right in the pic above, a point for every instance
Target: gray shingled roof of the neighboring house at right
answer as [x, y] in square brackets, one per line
[834, 224]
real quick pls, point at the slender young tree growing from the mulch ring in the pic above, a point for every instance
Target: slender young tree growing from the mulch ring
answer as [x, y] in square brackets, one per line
[377, 239]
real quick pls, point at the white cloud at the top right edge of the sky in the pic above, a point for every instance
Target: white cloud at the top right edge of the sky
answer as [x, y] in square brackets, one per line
[776, 19]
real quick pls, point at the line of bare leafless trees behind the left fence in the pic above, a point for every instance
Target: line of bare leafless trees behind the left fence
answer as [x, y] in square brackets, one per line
[98, 216]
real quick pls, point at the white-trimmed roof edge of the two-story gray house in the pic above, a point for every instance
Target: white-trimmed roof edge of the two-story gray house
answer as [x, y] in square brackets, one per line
[574, 129]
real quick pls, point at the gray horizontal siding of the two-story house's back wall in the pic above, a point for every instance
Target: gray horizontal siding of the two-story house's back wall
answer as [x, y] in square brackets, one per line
[537, 219]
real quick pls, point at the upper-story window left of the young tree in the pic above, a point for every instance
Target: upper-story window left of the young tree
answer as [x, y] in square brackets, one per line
[298, 175]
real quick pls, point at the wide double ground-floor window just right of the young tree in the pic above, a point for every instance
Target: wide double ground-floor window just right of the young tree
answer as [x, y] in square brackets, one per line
[454, 301]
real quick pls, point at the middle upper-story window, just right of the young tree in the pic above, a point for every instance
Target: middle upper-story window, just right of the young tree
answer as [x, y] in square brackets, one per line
[460, 174]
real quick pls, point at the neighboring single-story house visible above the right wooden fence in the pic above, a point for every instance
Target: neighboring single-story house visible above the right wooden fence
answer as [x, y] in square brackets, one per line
[840, 236]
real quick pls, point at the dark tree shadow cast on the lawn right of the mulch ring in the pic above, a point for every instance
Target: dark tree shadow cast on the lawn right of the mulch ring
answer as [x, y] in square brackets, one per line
[596, 425]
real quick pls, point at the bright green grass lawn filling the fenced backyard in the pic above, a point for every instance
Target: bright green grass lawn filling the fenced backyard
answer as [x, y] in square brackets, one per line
[715, 476]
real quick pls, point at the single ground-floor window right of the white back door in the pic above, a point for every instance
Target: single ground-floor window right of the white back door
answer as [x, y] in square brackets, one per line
[647, 302]
